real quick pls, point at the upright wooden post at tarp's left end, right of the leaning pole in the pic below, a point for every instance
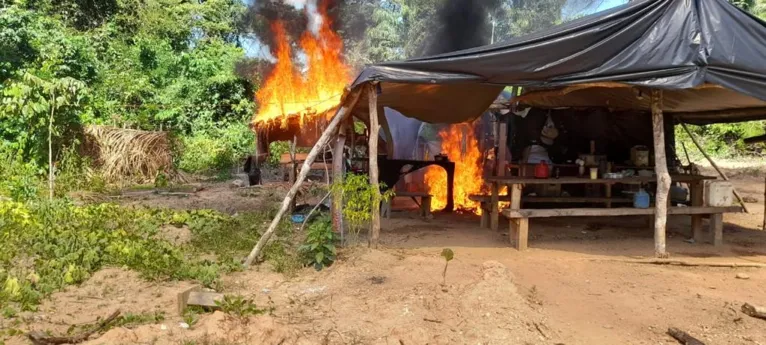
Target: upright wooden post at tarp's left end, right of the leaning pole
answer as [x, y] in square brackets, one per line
[372, 96]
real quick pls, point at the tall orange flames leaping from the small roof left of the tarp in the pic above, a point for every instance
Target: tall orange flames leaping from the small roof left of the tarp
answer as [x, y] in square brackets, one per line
[287, 91]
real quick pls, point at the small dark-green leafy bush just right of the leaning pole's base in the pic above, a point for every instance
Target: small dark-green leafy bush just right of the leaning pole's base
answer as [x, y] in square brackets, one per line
[318, 249]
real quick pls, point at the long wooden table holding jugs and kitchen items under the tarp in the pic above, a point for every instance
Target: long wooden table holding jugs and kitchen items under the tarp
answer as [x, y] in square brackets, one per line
[516, 183]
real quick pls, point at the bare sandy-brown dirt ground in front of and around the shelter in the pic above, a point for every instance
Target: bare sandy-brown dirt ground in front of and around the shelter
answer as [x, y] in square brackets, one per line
[573, 286]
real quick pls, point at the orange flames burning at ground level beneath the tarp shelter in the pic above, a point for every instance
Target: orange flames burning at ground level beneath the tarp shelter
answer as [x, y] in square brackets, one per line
[461, 147]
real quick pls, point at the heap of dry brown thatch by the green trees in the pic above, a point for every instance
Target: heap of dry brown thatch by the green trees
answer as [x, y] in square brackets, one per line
[128, 154]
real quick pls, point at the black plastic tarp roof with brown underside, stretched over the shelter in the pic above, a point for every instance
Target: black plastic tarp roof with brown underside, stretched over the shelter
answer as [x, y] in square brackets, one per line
[708, 55]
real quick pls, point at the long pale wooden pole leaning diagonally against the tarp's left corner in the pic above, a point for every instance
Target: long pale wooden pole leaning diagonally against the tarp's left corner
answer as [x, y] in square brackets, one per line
[323, 140]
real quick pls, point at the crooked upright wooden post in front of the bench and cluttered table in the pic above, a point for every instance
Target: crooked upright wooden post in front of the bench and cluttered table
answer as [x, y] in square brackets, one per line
[663, 177]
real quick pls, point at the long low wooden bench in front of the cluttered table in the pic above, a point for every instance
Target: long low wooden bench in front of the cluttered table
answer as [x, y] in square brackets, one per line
[519, 219]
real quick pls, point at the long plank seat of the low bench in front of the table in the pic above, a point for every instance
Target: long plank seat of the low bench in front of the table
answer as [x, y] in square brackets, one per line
[611, 212]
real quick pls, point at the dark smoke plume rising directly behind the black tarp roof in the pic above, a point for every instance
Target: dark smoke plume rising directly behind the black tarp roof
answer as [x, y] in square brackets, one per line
[462, 24]
